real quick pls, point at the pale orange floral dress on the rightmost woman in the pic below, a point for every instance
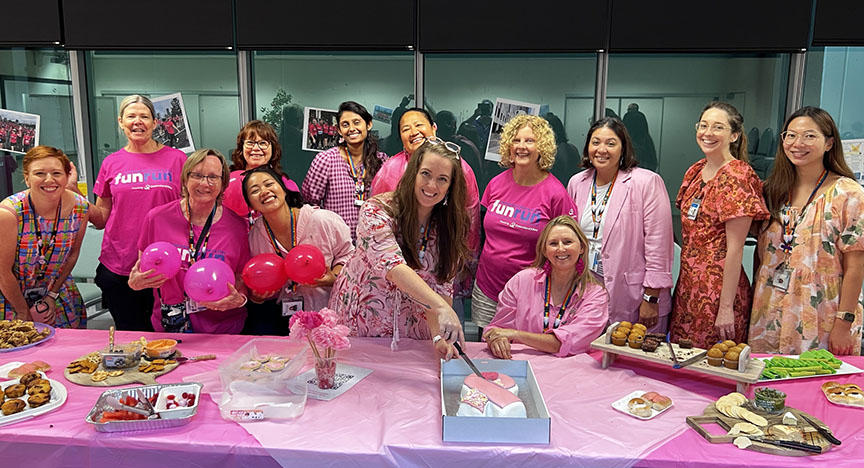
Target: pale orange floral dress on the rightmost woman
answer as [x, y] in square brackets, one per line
[802, 318]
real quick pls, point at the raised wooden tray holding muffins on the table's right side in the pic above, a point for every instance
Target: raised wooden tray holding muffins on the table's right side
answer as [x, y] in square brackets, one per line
[750, 373]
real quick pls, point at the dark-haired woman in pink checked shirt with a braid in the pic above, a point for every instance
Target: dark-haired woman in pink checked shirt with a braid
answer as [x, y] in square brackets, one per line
[340, 178]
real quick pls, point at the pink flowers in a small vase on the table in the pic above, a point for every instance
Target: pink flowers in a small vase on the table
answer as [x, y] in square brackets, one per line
[325, 335]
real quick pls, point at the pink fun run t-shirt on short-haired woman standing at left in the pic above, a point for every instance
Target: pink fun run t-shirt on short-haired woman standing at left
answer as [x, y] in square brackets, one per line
[135, 183]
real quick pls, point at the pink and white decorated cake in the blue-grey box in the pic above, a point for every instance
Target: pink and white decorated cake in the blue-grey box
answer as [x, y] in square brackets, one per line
[494, 396]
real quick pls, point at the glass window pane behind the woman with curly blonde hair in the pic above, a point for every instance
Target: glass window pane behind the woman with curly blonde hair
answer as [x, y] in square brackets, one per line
[562, 84]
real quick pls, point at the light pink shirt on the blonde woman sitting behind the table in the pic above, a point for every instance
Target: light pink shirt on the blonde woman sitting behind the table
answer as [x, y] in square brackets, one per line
[520, 307]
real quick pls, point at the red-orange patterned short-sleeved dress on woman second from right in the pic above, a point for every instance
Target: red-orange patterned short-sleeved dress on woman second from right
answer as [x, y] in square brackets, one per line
[734, 192]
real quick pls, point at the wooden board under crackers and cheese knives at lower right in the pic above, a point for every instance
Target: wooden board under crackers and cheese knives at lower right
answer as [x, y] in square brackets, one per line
[712, 416]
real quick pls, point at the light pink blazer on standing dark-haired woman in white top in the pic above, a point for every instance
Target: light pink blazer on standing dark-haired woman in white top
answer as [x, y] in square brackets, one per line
[637, 241]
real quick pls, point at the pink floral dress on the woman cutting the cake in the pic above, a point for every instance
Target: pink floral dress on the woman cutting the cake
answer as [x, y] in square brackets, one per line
[365, 301]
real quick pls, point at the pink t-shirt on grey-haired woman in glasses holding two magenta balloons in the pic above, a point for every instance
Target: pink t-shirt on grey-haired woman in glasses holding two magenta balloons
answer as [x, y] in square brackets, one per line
[227, 242]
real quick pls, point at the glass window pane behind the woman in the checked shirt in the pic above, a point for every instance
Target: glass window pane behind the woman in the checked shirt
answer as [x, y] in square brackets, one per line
[286, 83]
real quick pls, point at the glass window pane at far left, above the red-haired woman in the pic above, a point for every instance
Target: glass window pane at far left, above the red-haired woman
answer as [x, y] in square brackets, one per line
[33, 82]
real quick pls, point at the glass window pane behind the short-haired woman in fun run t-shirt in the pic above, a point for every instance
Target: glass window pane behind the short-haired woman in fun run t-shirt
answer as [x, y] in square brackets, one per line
[206, 82]
